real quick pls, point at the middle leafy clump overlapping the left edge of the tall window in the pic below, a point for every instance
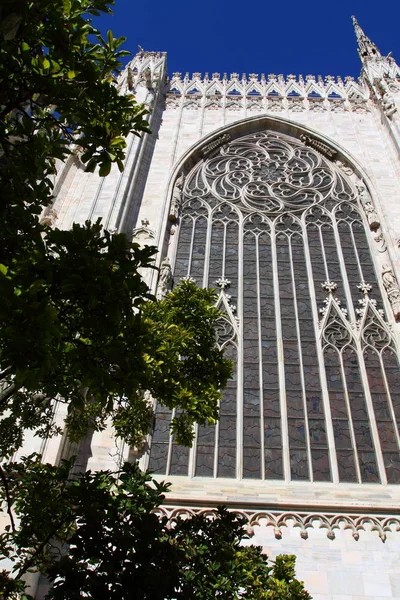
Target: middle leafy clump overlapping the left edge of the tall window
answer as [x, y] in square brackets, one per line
[80, 325]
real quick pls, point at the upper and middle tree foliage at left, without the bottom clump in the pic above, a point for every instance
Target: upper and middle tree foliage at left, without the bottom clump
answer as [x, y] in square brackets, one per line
[77, 322]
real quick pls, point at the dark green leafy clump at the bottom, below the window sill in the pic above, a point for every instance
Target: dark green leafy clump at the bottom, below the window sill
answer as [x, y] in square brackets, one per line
[119, 548]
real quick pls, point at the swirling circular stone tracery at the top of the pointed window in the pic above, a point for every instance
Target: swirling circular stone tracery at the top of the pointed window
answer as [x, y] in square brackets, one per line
[268, 172]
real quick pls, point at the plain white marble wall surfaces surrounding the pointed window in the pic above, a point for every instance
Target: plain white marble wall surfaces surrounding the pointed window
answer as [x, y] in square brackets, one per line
[338, 569]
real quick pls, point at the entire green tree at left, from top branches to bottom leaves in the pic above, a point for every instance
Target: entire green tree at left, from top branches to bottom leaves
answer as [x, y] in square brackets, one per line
[78, 325]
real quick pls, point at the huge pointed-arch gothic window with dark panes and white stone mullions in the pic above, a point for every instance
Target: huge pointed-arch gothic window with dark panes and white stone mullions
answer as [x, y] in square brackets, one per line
[277, 229]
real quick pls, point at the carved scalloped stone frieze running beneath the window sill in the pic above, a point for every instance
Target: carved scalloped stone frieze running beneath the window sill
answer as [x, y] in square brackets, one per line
[303, 521]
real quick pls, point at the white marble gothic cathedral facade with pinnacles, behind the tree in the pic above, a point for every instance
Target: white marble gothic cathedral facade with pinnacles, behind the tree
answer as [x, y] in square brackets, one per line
[283, 193]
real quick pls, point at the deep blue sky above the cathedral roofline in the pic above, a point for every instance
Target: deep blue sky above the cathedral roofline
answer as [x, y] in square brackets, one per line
[257, 36]
